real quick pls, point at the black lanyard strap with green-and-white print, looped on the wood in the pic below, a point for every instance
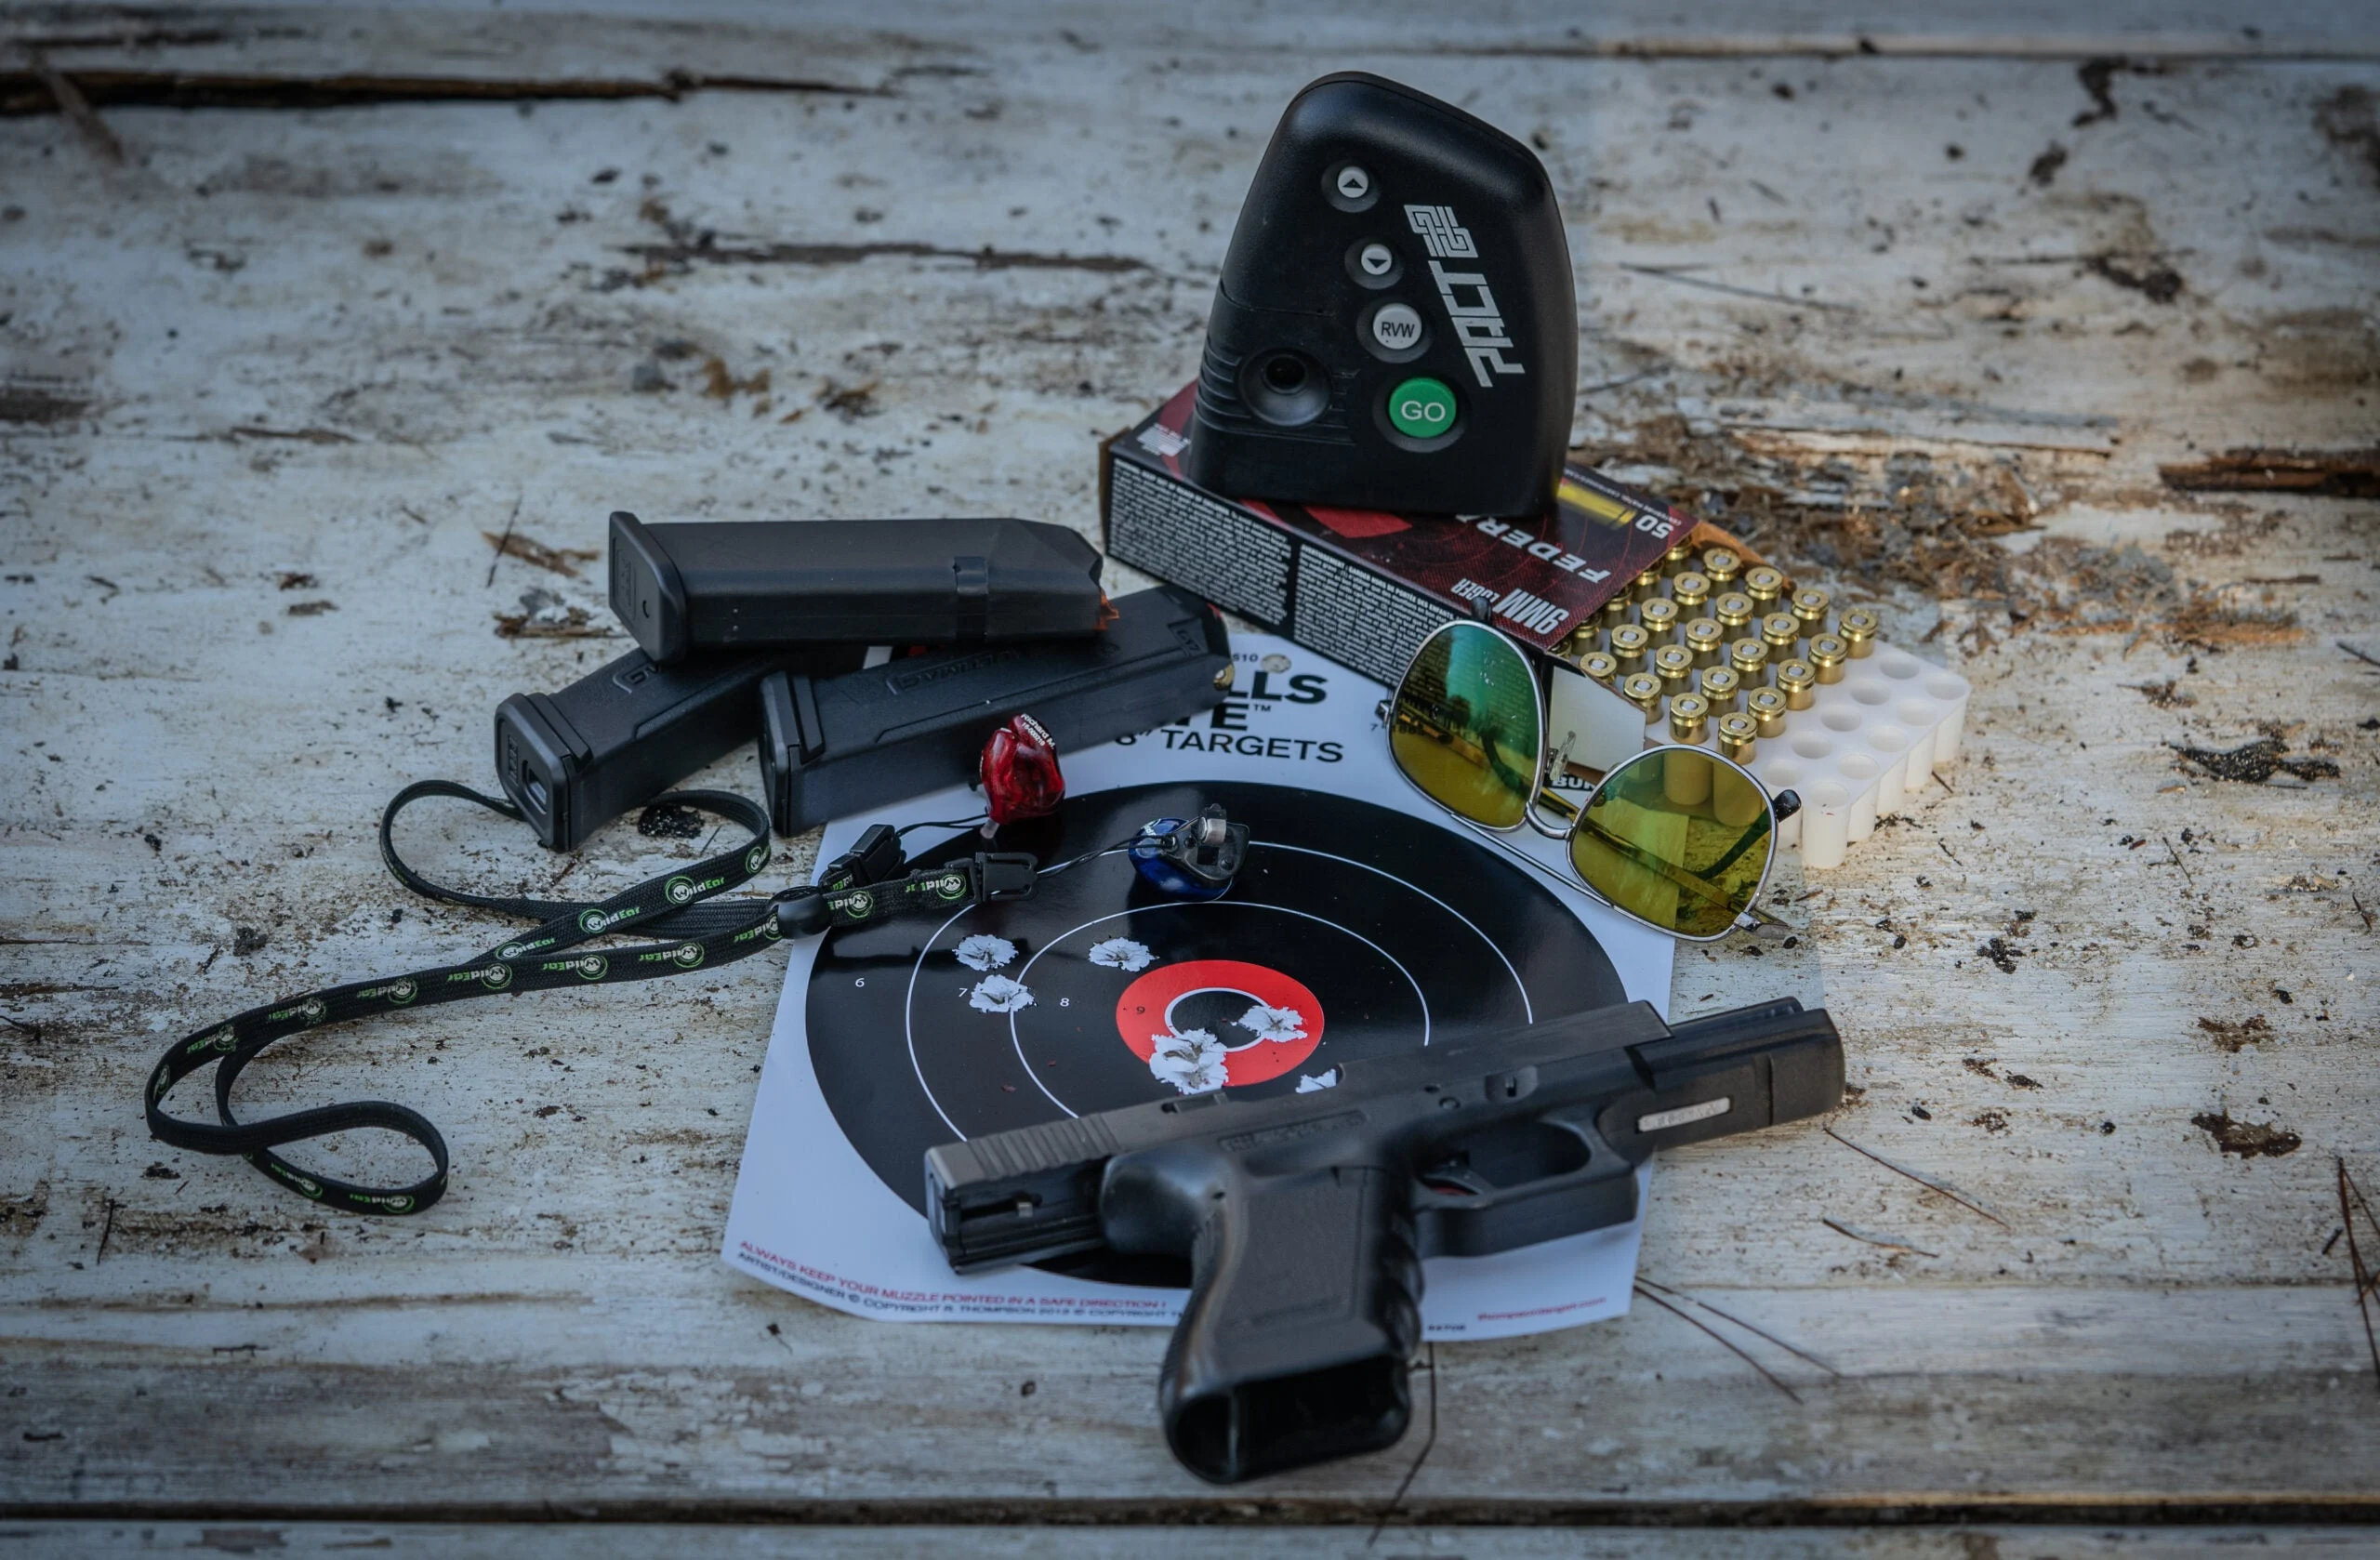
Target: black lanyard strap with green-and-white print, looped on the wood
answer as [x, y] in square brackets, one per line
[701, 937]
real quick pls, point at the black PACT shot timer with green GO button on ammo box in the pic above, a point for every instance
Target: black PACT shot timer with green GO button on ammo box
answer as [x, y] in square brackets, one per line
[1396, 323]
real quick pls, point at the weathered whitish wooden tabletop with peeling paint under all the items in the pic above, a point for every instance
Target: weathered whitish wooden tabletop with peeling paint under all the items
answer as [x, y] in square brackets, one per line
[270, 382]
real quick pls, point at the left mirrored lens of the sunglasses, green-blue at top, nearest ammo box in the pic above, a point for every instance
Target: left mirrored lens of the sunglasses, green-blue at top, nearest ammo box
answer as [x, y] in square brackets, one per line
[1465, 725]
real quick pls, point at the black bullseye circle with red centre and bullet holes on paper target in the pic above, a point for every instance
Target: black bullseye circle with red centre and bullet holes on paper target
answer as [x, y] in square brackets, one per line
[1353, 930]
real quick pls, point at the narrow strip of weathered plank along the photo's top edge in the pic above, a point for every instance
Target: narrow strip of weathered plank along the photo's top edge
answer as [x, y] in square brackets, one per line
[746, 39]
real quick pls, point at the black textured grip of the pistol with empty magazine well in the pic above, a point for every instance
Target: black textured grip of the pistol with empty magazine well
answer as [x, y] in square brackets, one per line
[1305, 1306]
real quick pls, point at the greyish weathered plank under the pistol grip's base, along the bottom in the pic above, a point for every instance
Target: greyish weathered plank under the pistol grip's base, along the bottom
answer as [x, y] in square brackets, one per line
[649, 1390]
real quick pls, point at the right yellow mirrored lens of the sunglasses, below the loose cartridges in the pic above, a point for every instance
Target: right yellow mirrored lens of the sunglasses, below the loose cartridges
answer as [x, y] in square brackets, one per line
[1677, 837]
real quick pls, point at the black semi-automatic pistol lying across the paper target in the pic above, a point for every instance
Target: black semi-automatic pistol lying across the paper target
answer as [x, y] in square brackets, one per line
[1308, 1216]
